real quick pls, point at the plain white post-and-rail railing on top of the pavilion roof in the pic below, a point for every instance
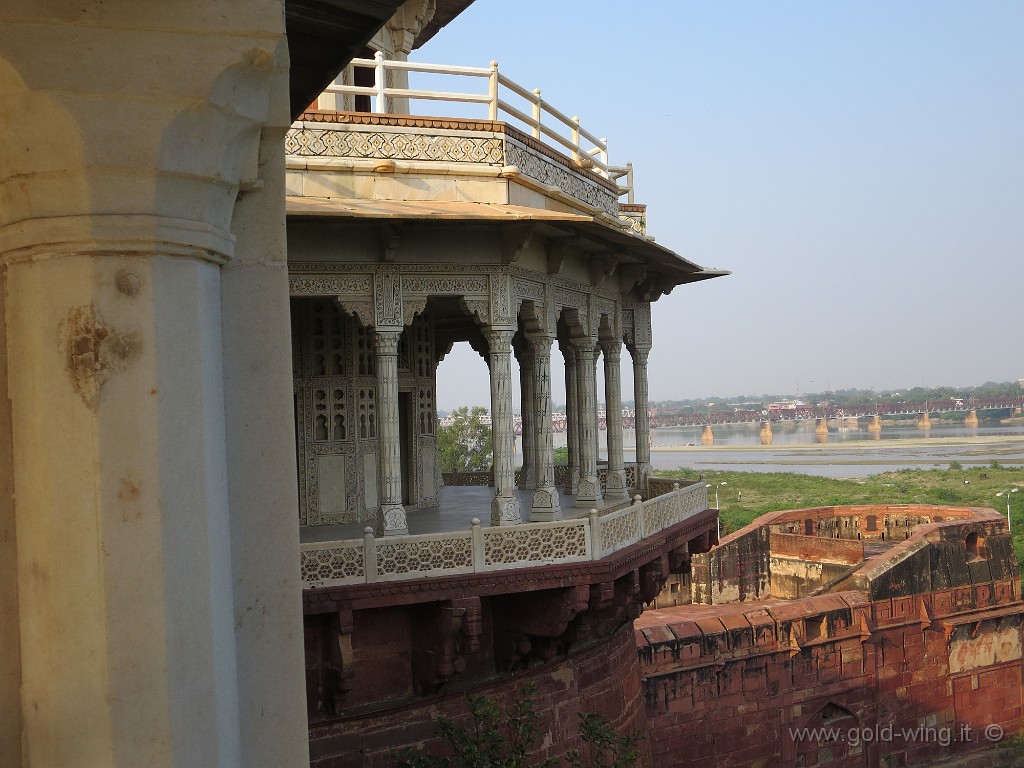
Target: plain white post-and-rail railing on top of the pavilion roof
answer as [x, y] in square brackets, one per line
[541, 118]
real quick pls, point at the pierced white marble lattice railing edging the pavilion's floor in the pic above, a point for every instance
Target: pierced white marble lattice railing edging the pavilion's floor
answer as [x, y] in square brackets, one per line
[496, 548]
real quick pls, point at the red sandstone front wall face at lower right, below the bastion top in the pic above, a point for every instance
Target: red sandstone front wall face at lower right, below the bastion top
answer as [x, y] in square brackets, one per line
[921, 678]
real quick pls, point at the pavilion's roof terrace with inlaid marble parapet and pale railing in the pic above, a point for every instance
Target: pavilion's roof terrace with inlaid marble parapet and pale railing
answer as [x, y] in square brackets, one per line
[522, 153]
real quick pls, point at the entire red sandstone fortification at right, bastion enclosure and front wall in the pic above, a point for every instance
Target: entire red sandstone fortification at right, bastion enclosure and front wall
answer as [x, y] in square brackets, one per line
[918, 662]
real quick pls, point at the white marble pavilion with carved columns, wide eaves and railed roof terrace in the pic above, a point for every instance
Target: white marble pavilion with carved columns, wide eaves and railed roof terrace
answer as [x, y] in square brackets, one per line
[409, 234]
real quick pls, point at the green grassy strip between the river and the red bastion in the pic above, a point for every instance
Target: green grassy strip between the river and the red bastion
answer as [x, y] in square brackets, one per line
[745, 496]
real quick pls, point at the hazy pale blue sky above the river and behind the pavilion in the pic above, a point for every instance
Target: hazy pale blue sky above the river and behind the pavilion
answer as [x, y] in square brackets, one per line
[858, 166]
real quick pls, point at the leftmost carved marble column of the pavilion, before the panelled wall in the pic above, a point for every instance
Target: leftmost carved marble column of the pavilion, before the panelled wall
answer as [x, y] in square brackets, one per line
[392, 515]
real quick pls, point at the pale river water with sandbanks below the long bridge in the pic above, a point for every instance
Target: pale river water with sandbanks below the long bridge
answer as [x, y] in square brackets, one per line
[848, 452]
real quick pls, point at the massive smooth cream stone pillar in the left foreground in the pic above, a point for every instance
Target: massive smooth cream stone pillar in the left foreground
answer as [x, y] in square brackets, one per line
[147, 615]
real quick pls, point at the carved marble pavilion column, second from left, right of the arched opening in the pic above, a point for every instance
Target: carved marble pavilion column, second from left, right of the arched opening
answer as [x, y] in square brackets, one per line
[505, 507]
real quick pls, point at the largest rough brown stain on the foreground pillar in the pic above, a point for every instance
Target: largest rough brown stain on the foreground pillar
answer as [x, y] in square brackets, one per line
[94, 352]
